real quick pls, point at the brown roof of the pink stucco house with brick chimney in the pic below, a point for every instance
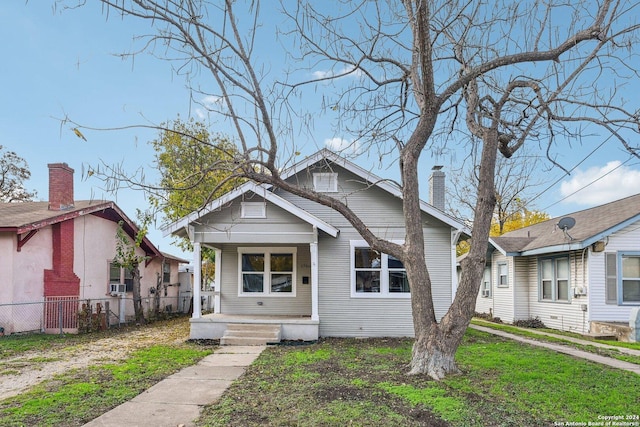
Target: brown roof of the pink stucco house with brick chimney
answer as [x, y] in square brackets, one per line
[29, 217]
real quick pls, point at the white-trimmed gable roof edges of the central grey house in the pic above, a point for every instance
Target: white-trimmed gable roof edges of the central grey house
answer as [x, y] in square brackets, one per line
[264, 190]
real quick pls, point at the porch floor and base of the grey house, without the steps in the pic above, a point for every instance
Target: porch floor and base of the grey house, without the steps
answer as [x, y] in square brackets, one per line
[213, 326]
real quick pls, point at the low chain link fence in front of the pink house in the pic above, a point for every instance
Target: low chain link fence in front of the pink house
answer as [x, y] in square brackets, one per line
[72, 315]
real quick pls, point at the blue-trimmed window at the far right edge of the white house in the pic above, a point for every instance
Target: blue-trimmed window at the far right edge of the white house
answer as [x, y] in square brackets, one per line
[623, 278]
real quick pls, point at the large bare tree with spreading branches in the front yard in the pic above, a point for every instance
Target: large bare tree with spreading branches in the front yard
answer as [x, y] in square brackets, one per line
[408, 78]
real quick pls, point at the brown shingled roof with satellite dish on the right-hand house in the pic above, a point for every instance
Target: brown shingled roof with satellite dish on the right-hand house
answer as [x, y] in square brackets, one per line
[591, 225]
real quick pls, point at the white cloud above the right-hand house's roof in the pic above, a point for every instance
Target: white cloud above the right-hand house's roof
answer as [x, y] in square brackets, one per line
[598, 185]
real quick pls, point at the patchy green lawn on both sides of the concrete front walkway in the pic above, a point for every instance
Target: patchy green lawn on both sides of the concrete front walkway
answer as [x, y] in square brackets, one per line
[360, 382]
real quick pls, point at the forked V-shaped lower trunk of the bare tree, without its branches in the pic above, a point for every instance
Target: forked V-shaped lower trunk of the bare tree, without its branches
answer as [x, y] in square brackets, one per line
[436, 344]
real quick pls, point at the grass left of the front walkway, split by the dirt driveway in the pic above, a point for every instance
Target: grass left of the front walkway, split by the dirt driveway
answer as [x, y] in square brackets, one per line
[80, 395]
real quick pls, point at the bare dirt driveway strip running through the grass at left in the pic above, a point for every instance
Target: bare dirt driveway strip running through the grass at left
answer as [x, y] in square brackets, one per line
[22, 372]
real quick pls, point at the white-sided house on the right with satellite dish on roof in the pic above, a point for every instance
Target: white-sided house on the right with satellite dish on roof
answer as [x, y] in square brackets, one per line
[578, 273]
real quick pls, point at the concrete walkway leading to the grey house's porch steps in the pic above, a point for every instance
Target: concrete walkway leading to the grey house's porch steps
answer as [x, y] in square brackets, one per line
[178, 399]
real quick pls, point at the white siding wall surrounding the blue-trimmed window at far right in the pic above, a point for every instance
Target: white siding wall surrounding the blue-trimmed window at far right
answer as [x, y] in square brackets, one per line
[627, 239]
